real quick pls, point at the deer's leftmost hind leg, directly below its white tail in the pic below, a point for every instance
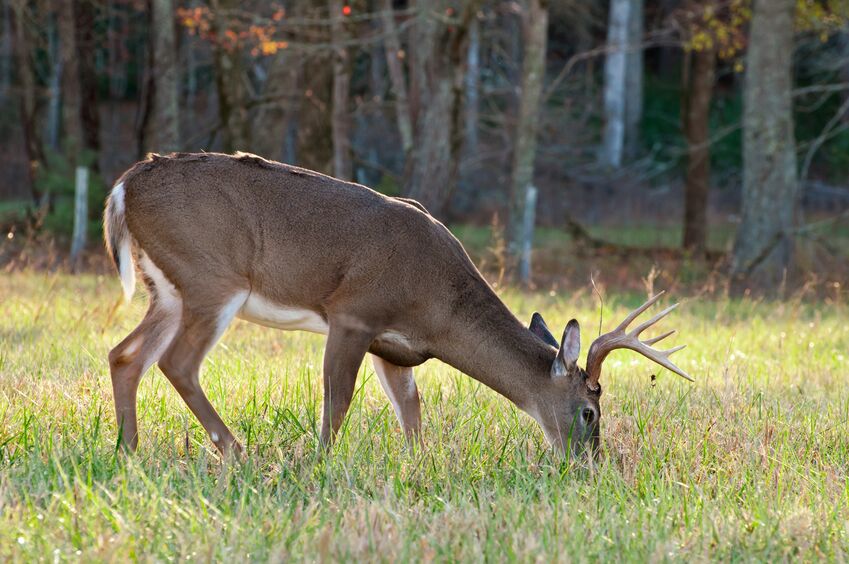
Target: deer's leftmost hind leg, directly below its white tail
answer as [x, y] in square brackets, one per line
[133, 356]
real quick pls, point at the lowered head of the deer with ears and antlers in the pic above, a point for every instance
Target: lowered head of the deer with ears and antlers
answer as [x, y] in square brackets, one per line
[570, 415]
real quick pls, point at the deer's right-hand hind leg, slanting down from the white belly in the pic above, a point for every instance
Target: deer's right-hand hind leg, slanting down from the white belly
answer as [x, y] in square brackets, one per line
[181, 364]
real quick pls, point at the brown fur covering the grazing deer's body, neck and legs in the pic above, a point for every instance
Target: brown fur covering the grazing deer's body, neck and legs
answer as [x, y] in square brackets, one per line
[216, 224]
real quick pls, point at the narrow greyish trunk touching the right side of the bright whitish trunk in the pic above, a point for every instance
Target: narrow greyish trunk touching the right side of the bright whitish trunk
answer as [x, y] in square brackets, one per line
[634, 80]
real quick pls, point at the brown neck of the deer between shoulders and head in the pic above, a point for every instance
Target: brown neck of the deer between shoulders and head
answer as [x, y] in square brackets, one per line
[489, 344]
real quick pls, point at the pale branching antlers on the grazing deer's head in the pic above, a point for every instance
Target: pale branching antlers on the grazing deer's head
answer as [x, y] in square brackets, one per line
[619, 339]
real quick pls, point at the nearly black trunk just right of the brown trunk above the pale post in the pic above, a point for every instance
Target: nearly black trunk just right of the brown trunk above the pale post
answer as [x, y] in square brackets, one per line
[86, 49]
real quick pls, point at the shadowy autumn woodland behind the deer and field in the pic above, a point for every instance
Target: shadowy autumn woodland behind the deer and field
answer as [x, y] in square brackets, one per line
[711, 135]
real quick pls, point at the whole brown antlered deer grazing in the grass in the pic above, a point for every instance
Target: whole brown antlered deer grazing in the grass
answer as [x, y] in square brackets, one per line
[218, 236]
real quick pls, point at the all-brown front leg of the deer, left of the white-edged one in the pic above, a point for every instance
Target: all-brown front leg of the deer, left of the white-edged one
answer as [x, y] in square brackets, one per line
[343, 354]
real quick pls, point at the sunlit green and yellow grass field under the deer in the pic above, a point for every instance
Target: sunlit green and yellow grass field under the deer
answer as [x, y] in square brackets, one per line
[749, 463]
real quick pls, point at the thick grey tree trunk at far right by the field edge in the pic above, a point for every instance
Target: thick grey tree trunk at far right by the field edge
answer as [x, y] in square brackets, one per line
[764, 246]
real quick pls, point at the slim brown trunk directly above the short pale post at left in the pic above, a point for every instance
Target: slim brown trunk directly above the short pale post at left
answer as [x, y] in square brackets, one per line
[72, 131]
